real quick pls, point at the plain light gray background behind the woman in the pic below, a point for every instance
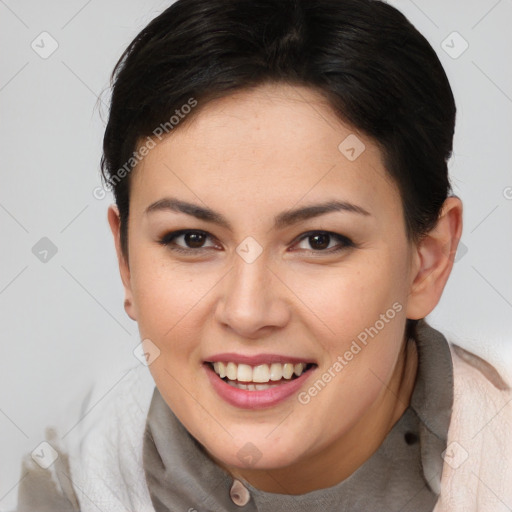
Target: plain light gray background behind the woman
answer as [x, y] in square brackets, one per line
[63, 321]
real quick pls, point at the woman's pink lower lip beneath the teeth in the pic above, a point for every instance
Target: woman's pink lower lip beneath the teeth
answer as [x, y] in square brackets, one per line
[255, 399]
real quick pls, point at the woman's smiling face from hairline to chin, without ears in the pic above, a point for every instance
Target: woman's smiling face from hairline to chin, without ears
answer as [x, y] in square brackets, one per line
[291, 248]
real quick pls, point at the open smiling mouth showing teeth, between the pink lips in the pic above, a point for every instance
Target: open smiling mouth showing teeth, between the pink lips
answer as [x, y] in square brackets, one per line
[259, 377]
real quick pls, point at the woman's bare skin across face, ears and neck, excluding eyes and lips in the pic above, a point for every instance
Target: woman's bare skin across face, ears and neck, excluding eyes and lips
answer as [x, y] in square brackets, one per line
[249, 157]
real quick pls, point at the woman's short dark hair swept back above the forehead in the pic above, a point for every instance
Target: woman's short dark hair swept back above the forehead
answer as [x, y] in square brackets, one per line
[377, 72]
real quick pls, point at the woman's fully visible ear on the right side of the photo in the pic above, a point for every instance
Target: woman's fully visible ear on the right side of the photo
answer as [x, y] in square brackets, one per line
[433, 260]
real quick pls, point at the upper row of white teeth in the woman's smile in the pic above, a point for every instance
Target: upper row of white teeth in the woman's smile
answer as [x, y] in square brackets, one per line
[259, 373]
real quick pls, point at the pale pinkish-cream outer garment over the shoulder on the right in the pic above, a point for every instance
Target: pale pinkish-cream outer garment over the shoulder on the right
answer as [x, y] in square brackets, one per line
[478, 457]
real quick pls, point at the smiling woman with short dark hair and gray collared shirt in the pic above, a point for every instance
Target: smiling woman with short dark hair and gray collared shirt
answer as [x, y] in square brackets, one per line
[283, 225]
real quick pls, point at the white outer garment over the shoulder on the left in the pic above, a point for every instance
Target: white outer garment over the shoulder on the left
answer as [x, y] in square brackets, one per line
[81, 448]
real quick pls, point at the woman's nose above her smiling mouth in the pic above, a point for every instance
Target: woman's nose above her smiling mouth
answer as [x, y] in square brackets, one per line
[253, 299]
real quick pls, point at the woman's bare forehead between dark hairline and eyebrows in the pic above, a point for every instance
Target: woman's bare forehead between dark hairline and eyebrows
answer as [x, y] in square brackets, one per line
[274, 145]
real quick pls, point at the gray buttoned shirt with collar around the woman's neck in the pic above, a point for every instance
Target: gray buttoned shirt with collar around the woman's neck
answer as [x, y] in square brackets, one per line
[403, 475]
